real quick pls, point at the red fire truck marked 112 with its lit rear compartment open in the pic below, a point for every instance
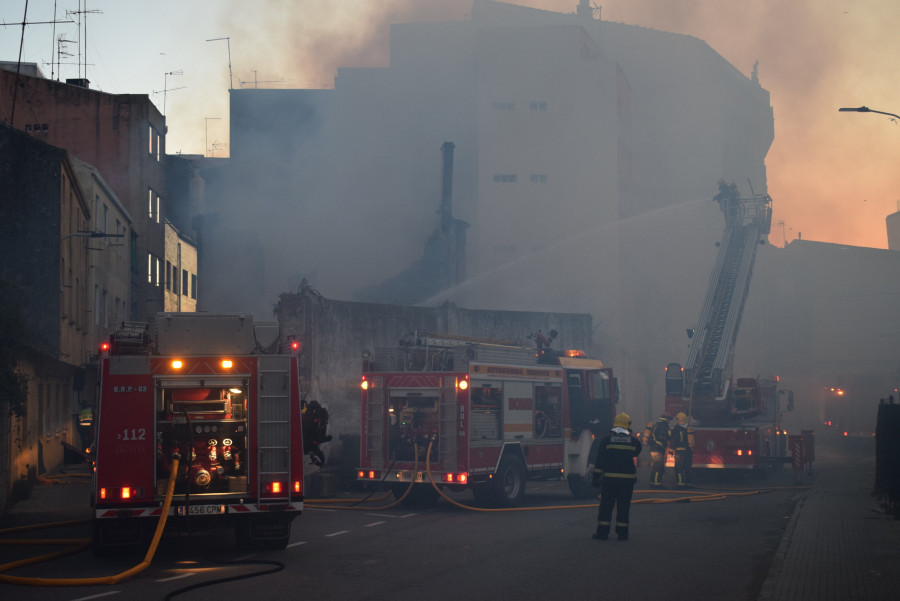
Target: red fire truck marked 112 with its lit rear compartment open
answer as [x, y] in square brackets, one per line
[199, 386]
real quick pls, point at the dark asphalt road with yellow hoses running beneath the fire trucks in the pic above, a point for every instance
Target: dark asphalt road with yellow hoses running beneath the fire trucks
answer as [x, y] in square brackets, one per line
[715, 549]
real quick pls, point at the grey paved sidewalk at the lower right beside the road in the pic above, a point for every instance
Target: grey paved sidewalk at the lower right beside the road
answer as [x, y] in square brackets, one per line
[839, 544]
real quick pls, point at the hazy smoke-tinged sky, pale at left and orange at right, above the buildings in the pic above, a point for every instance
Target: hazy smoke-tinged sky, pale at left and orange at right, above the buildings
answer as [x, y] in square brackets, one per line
[833, 176]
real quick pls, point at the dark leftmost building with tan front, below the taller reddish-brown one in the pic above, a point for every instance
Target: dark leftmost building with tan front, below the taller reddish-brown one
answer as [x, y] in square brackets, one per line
[45, 225]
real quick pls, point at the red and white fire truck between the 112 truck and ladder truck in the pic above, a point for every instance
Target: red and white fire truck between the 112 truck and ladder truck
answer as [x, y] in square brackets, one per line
[492, 414]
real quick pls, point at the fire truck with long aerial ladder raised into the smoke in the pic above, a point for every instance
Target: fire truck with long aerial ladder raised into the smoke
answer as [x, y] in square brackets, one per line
[735, 421]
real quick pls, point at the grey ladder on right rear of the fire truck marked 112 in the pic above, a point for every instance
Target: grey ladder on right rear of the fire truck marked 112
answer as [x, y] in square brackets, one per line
[274, 426]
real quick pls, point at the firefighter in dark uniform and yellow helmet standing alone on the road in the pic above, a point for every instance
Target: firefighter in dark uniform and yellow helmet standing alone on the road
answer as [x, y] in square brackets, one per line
[615, 473]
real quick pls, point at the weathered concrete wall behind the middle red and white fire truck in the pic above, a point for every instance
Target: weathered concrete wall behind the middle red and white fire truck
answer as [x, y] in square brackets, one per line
[335, 334]
